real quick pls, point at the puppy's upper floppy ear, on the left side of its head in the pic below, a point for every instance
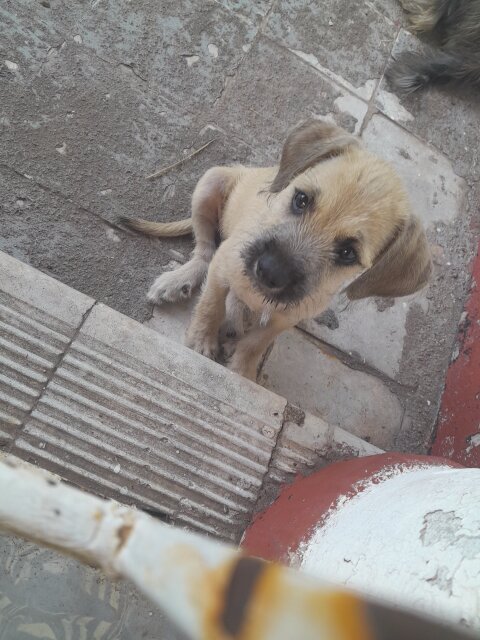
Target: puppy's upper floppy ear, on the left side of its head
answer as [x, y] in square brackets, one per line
[307, 144]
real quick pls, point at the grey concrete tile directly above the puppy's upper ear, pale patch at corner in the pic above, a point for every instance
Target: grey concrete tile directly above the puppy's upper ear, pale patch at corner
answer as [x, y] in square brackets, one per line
[262, 118]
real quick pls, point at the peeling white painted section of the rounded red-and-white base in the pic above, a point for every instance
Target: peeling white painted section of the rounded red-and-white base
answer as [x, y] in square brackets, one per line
[416, 541]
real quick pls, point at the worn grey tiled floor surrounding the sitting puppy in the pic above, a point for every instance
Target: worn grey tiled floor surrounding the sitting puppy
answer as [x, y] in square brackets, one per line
[95, 98]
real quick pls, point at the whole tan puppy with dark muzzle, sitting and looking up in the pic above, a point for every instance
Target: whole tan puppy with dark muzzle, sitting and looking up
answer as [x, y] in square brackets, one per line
[330, 215]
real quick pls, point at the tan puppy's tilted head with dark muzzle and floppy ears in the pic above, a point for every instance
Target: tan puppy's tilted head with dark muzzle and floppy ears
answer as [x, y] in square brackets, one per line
[334, 212]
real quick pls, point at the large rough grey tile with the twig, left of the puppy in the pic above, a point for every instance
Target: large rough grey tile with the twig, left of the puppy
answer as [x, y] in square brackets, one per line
[88, 131]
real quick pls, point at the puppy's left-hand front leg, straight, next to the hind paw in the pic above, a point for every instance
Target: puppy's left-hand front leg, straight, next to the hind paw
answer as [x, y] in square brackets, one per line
[202, 335]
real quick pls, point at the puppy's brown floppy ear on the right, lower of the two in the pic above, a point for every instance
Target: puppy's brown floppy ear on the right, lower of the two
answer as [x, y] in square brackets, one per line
[402, 268]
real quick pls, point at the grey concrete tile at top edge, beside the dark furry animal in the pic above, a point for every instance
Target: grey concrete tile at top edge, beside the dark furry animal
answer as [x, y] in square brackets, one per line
[350, 40]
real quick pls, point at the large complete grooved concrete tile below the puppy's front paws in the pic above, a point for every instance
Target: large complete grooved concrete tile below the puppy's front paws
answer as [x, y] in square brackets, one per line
[130, 415]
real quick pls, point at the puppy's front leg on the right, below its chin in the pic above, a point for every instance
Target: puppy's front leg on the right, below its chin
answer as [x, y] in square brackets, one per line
[254, 344]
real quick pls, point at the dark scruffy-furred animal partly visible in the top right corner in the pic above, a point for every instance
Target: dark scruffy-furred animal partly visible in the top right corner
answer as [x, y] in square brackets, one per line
[455, 24]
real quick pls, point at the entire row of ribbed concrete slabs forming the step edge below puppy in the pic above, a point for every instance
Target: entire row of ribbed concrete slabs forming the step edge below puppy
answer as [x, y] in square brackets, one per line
[123, 412]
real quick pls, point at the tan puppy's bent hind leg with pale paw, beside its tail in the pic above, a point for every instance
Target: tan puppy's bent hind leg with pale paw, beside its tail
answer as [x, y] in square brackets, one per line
[207, 203]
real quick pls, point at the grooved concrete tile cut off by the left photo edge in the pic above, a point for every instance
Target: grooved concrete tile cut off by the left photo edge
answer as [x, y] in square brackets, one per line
[38, 319]
